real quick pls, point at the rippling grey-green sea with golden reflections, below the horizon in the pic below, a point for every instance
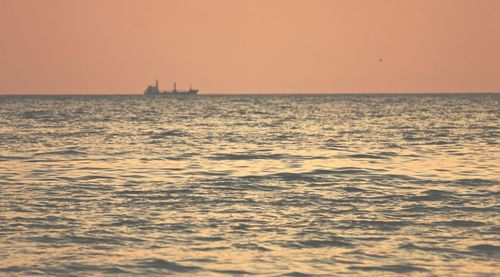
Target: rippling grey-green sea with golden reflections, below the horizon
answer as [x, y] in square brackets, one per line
[236, 185]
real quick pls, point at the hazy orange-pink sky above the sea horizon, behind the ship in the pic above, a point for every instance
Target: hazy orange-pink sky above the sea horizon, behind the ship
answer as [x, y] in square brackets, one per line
[249, 46]
